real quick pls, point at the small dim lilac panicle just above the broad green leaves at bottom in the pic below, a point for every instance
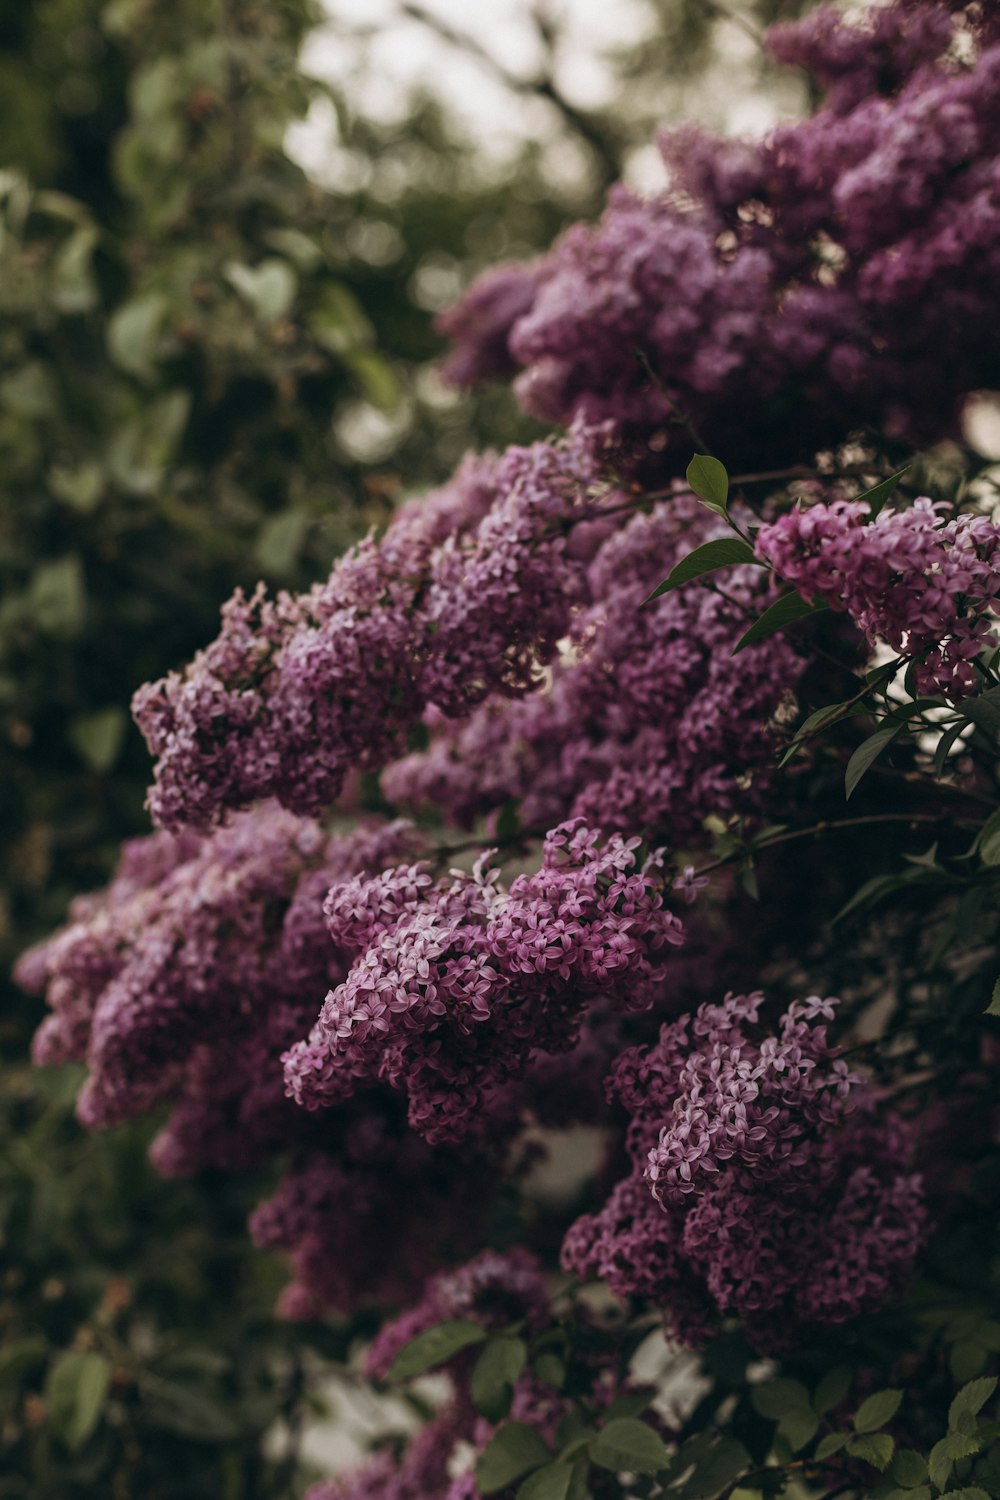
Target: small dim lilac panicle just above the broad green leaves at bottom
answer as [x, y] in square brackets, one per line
[496, 1289]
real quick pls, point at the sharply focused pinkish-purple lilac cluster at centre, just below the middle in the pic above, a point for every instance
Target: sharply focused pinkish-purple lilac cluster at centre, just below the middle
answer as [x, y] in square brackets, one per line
[458, 983]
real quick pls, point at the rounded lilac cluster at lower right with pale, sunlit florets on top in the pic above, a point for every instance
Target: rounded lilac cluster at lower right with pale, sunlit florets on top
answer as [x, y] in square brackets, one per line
[762, 1183]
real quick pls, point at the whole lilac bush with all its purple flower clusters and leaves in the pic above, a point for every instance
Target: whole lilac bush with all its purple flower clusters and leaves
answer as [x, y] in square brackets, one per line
[624, 712]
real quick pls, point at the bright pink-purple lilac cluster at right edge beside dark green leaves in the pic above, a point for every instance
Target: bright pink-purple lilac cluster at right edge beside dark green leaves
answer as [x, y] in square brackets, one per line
[923, 584]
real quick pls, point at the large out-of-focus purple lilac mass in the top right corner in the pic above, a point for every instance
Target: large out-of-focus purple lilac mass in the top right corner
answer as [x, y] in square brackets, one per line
[840, 275]
